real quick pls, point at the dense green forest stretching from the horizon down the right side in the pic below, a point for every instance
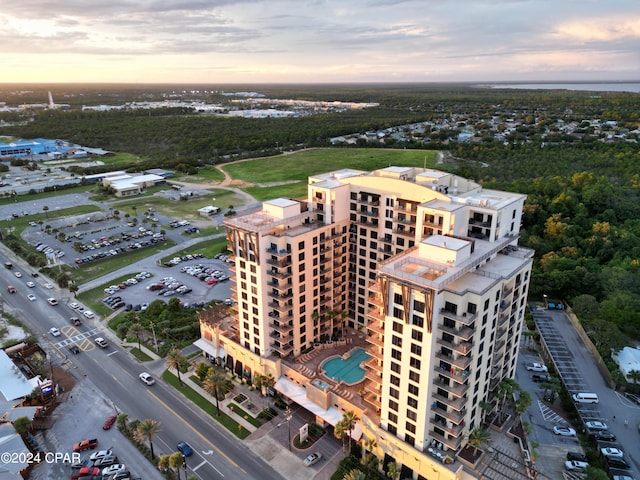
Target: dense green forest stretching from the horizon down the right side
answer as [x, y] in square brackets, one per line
[582, 215]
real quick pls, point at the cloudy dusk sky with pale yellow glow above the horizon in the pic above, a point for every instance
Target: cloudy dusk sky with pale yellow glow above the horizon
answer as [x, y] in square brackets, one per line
[321, 41]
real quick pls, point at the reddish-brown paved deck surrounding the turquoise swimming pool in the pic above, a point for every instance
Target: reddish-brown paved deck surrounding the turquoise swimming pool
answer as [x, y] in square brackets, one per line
[310, 364]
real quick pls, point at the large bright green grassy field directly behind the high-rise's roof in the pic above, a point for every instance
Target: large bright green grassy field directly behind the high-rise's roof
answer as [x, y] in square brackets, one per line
[286, 175]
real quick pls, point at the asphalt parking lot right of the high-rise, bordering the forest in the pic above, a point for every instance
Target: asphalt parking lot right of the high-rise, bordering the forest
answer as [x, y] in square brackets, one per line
[606, 423]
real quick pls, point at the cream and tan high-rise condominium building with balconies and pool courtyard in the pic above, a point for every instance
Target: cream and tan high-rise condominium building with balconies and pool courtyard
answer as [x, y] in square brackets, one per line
[413, 275]
